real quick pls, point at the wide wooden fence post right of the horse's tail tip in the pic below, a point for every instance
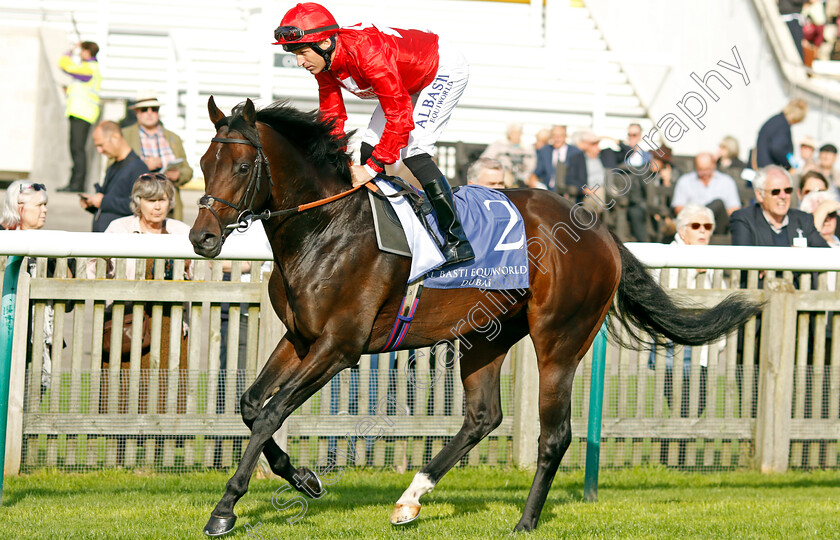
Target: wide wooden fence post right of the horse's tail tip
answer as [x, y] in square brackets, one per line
[775, 377]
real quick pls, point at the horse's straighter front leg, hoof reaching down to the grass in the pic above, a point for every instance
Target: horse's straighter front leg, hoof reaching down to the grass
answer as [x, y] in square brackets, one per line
[299, 379]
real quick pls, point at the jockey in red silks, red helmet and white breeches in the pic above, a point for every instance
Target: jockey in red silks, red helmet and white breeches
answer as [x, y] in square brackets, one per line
[417, 79]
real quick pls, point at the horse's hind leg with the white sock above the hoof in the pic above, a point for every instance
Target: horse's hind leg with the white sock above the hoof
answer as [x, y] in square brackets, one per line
[480, 368]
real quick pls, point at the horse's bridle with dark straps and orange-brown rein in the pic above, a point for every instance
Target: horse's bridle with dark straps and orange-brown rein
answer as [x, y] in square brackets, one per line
[245, 207]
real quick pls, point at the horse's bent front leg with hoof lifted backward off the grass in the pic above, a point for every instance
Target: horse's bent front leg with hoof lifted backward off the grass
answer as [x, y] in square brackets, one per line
[251, 404]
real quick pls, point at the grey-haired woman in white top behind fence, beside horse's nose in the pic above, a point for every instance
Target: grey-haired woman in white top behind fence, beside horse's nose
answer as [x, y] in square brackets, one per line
[151, 198]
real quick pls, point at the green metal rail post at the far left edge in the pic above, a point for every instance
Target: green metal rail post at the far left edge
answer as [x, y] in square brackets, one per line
[7, 328]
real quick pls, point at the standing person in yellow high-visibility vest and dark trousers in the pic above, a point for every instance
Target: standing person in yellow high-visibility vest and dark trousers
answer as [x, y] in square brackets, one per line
[82, 108]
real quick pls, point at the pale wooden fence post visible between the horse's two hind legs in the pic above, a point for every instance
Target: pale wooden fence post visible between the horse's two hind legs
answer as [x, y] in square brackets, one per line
[526, 412]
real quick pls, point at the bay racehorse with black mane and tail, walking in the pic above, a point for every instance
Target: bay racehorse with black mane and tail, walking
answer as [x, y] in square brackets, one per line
[338, 296]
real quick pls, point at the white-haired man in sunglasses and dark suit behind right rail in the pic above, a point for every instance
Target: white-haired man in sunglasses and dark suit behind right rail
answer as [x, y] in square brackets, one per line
[771, 221]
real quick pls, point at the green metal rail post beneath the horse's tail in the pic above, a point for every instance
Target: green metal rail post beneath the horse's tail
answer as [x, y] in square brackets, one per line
[596, 400]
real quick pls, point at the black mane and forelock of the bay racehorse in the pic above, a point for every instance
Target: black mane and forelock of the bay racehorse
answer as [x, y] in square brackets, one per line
[307, 130]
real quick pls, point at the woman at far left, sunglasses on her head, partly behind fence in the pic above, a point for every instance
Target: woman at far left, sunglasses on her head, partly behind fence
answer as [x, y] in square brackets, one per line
[25, 208]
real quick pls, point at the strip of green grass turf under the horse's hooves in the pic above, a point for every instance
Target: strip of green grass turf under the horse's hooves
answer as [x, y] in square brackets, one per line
[469, 503]
